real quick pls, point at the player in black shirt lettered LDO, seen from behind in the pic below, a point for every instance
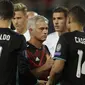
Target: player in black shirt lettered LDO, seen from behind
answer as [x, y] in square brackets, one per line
[12, 50]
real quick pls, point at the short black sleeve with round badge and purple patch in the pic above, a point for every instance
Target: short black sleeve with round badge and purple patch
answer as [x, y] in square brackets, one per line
[61, 49]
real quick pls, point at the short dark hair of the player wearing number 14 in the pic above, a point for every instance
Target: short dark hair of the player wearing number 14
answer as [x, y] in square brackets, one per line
[78, 14]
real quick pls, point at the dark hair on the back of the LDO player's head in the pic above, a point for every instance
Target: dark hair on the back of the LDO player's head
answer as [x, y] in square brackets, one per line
[6, 9]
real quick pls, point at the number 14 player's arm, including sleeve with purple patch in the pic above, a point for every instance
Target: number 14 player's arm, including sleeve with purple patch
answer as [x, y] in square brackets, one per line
[60, 57]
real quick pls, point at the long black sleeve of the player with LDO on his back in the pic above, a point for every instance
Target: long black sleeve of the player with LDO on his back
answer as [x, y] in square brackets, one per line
[25, 75]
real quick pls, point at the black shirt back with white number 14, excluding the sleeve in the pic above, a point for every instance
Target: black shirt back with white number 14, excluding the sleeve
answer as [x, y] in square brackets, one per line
[75, 65]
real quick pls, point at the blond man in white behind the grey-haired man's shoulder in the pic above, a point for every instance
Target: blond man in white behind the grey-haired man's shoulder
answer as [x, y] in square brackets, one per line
[20, 20]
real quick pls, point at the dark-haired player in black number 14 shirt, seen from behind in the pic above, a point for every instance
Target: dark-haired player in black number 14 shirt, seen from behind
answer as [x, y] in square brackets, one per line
[70, 51]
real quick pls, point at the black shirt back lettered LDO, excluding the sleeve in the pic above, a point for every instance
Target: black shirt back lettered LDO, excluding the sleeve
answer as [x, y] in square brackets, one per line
[9, 45]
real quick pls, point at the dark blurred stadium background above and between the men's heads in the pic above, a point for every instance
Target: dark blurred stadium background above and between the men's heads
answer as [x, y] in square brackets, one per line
[45, 7]
